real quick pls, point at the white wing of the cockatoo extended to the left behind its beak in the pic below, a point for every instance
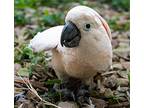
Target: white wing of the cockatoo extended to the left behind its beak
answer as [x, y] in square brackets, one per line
[46, 40]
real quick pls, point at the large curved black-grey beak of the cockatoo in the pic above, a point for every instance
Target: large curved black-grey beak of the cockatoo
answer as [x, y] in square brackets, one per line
[70, 36]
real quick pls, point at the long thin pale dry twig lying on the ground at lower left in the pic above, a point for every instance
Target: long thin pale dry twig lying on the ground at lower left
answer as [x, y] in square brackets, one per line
[35, 92]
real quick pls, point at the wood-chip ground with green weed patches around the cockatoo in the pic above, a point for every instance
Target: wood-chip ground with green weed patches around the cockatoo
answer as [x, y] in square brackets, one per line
[113, 88]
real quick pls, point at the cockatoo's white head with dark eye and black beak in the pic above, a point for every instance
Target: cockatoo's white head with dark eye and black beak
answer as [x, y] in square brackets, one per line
[81, 22]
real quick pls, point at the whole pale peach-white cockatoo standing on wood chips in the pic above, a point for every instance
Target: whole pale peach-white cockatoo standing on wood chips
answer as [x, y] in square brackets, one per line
[81, 48]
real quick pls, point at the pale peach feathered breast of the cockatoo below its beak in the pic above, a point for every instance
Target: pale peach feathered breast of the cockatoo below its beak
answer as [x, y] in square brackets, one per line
[85, 63]
